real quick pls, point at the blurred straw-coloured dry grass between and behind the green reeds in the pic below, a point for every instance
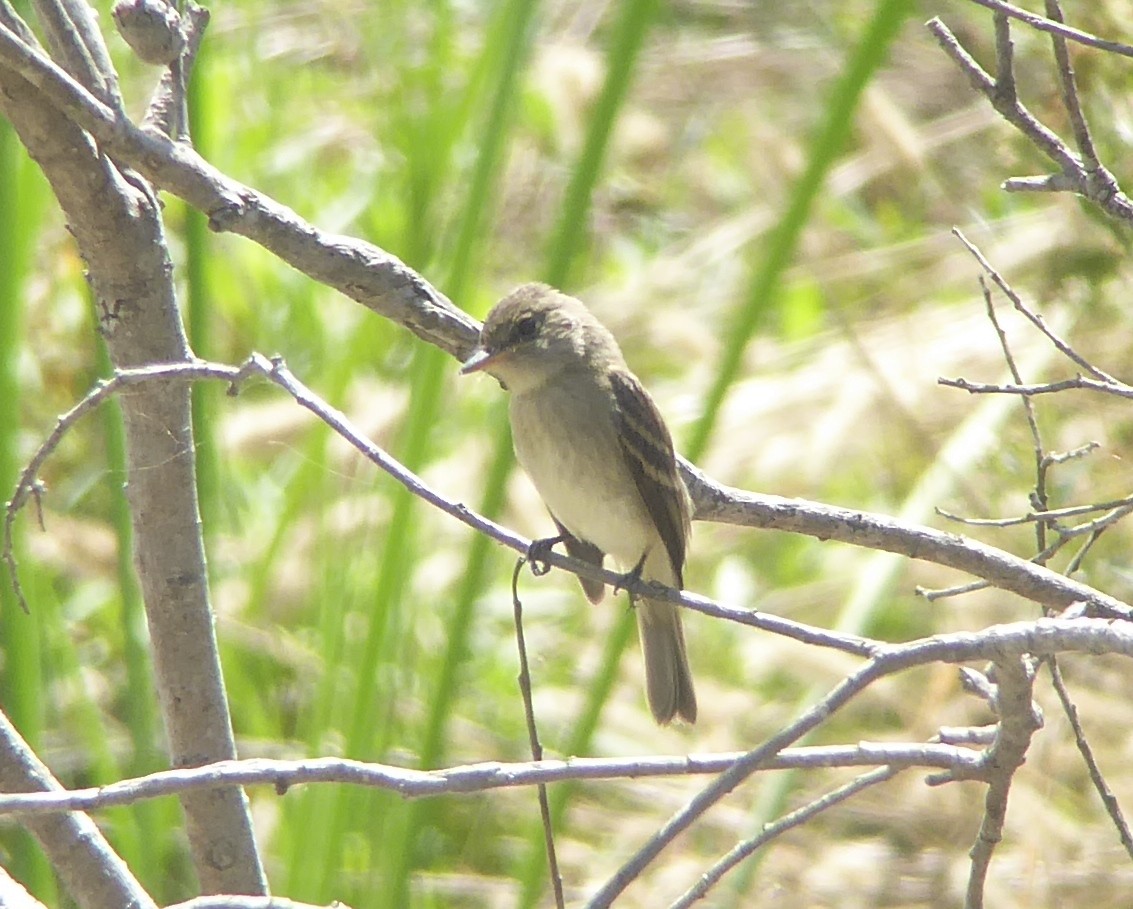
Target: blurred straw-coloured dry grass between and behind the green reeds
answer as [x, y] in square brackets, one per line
[839, 403]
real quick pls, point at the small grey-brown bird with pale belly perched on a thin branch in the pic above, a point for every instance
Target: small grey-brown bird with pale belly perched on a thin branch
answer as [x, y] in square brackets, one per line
[594, 444]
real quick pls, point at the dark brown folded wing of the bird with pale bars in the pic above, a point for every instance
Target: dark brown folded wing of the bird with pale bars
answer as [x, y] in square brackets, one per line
[649, 451]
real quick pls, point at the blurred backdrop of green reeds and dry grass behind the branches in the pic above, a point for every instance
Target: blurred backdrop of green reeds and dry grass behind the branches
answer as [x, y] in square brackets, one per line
[757, 199]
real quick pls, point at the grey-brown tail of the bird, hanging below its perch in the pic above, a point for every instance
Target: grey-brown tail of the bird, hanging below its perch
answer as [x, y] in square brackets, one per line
[668, 678]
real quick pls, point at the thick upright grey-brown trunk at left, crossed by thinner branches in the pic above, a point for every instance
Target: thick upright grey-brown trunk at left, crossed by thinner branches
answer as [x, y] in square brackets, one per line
[116, 220]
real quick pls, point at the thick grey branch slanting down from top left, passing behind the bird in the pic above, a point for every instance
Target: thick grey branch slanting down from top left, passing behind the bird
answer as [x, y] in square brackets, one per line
[386, 285]
